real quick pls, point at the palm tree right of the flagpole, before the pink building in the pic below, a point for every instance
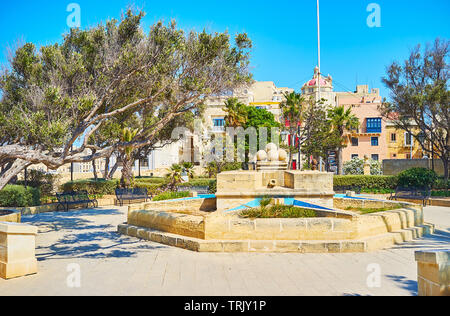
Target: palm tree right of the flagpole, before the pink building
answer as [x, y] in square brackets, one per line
[342, 120]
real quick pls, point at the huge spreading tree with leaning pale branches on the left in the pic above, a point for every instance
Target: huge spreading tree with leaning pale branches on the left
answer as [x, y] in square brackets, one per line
[61, 95]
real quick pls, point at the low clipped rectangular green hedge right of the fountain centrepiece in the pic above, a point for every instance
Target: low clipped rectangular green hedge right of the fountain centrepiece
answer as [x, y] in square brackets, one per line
[367, 182]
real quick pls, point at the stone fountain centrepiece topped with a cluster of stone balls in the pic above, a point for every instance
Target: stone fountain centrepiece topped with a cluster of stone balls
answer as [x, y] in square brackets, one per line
[271, 178]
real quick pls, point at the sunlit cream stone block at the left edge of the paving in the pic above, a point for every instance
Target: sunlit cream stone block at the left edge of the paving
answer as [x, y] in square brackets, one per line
[17, 250]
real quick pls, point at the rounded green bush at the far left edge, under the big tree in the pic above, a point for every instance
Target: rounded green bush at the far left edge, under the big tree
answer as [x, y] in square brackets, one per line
[19, 196]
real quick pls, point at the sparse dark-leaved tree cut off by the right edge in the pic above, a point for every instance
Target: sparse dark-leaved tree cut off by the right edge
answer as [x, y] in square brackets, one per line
[420, 98]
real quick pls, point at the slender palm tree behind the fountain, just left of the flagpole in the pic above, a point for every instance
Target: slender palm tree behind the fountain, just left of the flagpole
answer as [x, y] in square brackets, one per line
[292, 109]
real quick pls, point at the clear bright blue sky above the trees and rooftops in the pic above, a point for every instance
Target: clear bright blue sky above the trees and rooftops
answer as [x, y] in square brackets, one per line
[283, 32]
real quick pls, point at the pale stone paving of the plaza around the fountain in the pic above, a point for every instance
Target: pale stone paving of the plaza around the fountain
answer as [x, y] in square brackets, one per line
[111, 264]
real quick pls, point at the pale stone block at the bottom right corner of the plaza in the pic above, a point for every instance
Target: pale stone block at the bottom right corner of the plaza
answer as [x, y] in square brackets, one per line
[433, 273]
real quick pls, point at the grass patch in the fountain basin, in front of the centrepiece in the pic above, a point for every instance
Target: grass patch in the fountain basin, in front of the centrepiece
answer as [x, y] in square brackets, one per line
[278, 211]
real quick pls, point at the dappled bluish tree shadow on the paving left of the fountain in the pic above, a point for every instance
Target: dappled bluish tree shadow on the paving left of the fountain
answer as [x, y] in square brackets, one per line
[77, 234]
